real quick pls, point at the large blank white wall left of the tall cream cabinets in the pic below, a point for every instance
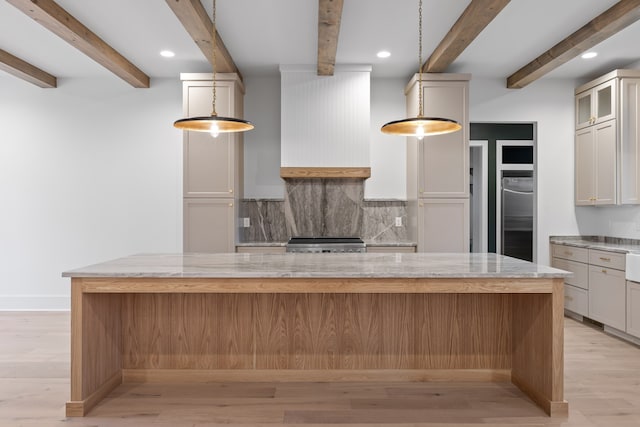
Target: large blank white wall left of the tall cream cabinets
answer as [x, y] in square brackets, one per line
[89, 171]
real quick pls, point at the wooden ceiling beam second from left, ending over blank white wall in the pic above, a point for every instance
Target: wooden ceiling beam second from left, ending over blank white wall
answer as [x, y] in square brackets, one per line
[53, 17]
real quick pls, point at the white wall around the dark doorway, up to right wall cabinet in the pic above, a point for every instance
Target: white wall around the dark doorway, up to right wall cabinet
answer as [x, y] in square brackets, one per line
[549, 103]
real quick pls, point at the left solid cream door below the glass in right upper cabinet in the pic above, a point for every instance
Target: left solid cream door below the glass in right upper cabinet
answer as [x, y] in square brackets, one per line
[584, 167]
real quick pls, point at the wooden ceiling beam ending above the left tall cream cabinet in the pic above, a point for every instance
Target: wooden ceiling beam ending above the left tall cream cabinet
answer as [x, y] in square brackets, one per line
[196, 21]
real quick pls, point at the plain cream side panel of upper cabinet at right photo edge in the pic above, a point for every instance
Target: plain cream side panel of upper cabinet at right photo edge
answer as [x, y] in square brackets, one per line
[629, 123]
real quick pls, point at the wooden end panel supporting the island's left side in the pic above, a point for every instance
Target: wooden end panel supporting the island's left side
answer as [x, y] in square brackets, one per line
[96, 347]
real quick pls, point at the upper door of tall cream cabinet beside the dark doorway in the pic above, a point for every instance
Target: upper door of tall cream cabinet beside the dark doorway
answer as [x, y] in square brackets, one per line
[444, 170]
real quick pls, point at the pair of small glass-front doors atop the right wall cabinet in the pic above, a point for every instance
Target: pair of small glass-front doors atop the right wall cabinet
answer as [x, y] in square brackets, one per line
[596, 105]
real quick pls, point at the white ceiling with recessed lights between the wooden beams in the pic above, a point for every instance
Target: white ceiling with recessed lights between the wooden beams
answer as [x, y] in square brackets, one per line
[261, 34]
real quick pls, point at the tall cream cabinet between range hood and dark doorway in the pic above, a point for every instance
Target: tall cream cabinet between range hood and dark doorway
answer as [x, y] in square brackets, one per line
[438, 166]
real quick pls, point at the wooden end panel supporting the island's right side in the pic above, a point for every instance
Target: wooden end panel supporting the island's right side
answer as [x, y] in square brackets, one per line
[538, 347]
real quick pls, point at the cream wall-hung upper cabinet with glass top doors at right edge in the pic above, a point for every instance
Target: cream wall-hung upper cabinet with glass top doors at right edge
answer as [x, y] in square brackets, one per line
[607, 141]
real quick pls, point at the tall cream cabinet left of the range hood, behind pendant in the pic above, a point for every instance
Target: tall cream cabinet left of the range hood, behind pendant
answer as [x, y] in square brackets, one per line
[212, 167]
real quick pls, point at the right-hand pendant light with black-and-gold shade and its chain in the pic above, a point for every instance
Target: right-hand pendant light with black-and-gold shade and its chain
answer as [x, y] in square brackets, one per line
[420, 126]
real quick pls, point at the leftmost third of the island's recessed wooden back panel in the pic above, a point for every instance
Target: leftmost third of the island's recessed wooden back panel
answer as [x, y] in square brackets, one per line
[188, 331]
